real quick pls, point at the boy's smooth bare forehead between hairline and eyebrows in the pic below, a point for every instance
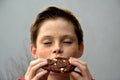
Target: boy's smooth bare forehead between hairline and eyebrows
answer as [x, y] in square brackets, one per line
[57, 26]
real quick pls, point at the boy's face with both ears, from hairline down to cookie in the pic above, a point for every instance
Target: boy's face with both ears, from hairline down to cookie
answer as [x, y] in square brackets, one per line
[56, 37]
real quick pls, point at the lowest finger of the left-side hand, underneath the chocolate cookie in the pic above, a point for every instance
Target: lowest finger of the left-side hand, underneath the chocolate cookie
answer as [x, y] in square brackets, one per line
[41, 75]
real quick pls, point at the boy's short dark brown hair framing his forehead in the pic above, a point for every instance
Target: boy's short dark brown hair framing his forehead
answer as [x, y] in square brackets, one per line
[53, 13]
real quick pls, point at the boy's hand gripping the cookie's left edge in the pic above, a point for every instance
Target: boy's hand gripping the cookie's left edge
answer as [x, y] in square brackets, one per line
[32, 71]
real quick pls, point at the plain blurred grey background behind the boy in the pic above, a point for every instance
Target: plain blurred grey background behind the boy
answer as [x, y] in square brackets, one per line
[100, 20]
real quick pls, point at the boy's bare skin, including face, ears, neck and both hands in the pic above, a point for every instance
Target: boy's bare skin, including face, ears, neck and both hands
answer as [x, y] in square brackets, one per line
[56, 37]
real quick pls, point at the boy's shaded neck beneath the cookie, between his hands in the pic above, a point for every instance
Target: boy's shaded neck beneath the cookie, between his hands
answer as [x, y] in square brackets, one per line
[58, 76]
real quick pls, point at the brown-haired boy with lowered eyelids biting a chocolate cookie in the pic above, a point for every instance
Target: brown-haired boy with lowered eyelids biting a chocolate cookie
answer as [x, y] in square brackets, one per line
[56, 33]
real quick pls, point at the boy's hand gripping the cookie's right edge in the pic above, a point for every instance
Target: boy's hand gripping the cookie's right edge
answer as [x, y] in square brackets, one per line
[84, 73]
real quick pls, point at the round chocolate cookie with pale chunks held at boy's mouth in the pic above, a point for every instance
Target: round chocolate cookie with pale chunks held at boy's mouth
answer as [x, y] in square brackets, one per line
[59, 65]
